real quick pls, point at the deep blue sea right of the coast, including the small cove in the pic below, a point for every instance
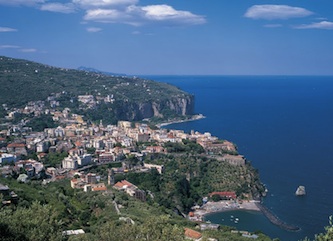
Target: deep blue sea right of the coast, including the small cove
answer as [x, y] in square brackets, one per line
[284, 127]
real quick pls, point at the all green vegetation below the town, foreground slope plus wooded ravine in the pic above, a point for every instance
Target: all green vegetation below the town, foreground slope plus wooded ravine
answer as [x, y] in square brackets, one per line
[44, 211]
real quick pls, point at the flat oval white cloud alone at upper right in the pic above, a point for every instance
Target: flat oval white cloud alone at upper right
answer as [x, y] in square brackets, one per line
[276, 12]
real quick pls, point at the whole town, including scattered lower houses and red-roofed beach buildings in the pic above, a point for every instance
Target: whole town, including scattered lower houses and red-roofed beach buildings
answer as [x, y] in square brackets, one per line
[82, 146]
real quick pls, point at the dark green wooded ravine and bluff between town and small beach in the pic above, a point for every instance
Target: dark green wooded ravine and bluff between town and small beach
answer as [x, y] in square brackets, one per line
[186, 179]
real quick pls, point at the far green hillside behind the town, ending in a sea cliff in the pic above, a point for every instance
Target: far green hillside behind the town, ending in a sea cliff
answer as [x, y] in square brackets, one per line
[117, 97]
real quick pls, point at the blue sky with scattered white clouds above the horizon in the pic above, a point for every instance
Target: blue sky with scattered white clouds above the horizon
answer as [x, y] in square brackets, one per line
[218, 37]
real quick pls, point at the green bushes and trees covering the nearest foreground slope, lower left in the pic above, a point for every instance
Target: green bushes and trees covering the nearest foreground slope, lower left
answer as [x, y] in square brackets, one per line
[43, 212]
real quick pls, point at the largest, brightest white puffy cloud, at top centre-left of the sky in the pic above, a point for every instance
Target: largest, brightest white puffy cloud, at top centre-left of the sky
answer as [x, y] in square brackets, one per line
[138, 15]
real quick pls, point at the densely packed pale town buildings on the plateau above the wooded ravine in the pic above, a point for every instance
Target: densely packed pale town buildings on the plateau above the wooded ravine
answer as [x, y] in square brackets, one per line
[94, 144]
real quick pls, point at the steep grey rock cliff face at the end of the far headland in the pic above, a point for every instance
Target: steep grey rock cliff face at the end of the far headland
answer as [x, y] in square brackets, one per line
[181, 106]
